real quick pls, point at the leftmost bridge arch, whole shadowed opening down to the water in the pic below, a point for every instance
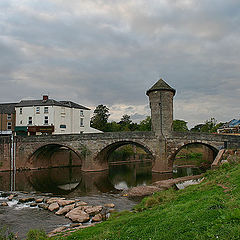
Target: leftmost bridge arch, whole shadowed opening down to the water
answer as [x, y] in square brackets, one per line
[42, 156]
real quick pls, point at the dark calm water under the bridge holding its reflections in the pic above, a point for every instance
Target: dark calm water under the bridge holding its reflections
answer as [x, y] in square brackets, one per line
[72, 182]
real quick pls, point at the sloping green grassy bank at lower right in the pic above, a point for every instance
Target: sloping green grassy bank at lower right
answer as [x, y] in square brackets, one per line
[210, 210]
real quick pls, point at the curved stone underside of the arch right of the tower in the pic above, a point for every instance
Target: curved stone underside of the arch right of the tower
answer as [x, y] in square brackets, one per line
[172, 156]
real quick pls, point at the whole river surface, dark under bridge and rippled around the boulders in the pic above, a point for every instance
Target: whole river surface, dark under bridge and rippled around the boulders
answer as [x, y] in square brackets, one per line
[95, 188]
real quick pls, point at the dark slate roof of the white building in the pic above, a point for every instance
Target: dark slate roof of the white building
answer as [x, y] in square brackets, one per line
[50, 102]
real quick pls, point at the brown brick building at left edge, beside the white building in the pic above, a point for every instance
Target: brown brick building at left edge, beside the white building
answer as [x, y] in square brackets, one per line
[7, 118]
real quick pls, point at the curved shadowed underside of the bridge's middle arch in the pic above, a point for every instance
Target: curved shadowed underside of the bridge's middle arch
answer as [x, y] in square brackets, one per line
[103, 155]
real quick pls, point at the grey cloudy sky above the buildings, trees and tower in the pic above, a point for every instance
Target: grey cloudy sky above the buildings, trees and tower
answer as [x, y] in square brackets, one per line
[111, 52]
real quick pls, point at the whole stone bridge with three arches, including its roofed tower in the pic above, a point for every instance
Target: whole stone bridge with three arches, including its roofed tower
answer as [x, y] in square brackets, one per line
[93, 150]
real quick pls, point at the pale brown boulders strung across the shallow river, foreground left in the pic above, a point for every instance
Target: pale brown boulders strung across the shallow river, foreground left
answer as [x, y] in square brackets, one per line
[77, 211]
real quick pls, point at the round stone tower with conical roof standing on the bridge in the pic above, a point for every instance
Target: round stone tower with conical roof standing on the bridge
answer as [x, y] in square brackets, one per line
[161, 104]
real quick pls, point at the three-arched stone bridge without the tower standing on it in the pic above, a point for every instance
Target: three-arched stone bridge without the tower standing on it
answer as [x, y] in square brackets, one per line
[93, 149]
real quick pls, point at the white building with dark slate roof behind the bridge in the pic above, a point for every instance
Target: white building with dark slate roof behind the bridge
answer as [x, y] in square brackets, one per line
[48, 116]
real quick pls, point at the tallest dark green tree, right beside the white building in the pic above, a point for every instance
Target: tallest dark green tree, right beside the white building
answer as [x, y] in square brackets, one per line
[100, 117]
